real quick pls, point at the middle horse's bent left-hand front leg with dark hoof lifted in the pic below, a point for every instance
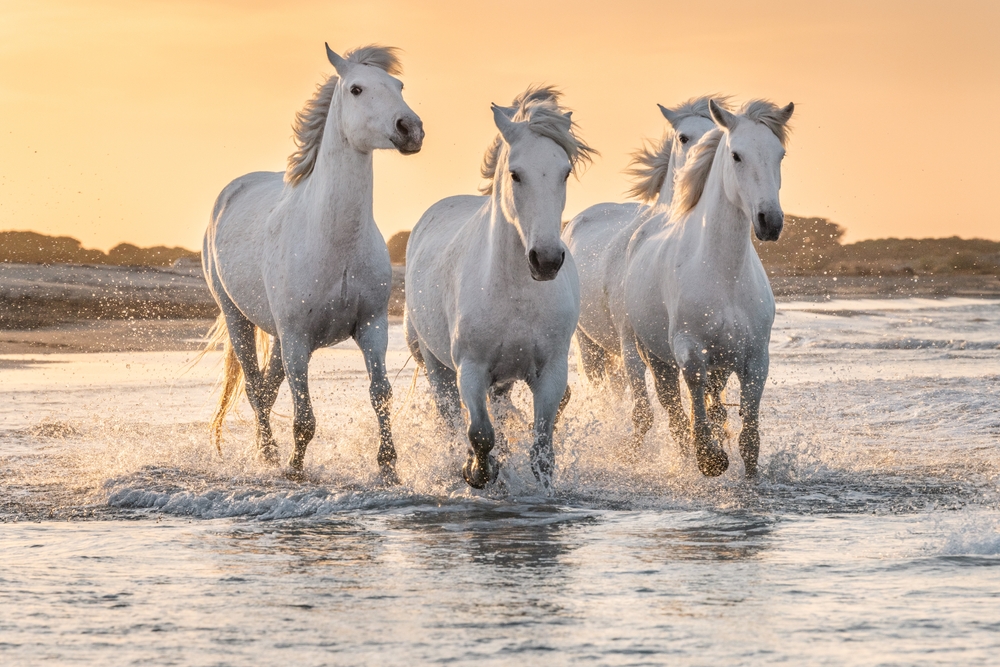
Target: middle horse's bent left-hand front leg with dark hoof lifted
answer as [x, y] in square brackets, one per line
[481, 467]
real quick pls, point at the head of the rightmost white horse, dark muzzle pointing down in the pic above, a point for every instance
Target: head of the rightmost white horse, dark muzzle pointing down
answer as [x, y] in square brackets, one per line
[751, 152]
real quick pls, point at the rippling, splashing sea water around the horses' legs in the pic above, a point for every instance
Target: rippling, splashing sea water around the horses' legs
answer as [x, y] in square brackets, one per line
[871, 537]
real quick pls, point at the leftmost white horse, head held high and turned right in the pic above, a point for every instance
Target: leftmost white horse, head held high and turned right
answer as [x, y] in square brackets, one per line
[297, 255]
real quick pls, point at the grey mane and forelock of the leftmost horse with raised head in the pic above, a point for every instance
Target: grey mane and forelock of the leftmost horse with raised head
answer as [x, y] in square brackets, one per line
[311, 120]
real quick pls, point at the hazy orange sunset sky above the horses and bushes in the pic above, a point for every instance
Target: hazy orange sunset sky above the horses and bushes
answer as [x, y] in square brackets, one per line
[122, 120]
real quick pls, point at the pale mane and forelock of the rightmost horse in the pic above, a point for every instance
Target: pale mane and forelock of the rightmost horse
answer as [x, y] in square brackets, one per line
[692, 178]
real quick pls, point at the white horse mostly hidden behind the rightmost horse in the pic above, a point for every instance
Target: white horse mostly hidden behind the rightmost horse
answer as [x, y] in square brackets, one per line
[598, 238]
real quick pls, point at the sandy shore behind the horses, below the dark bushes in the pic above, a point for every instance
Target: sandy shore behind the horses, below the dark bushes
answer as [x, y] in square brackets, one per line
[68, 309]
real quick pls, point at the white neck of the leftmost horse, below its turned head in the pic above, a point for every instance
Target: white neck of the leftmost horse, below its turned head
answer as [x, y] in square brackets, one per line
[339, 190]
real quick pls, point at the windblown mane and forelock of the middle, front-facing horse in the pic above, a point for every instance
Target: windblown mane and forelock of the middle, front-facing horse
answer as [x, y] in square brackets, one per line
[539, 106]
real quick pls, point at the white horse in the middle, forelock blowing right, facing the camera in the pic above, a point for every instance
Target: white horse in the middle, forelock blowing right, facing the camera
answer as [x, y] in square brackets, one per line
[491, 293]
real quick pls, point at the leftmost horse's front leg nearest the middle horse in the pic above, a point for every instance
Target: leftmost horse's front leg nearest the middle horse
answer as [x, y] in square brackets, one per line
[373, 339]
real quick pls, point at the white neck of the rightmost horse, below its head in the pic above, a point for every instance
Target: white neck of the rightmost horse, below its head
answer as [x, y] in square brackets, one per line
[724, 228]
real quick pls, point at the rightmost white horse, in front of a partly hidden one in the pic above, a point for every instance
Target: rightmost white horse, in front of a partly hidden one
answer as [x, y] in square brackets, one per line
[696, 293]
